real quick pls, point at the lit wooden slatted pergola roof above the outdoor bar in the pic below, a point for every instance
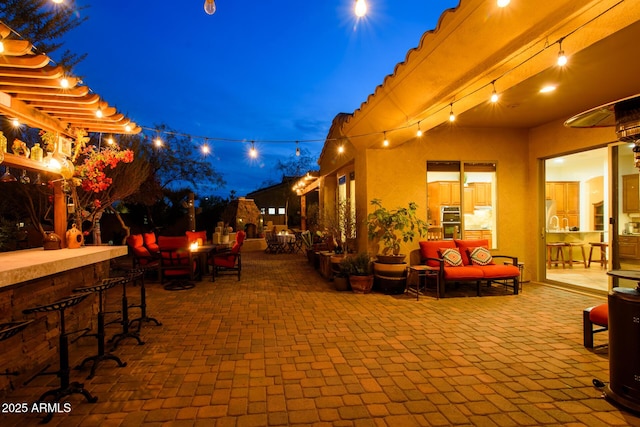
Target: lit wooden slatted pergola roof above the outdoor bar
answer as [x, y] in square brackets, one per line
[42, 95]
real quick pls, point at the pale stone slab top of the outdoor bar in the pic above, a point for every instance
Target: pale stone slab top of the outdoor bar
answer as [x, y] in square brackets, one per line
[29, 264]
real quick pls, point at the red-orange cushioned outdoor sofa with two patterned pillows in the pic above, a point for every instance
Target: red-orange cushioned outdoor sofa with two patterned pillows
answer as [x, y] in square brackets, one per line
[468, 261]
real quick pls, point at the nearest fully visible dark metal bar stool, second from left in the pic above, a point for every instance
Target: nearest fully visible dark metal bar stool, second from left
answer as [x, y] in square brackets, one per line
[66, 387]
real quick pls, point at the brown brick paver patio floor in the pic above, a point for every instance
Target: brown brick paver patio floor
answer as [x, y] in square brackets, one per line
[282, 347]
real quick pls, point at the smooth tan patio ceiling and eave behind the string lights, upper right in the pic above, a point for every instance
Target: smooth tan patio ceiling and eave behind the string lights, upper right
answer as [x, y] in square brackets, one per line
[476, 43]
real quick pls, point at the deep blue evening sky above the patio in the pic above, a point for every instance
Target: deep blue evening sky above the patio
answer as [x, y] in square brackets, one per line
[256, 70]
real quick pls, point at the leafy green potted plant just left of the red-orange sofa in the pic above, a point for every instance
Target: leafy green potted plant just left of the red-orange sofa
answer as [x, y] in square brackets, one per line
[391, 227]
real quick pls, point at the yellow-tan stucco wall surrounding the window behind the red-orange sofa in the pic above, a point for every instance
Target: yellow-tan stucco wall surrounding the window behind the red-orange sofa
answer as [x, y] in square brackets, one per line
[398, 176]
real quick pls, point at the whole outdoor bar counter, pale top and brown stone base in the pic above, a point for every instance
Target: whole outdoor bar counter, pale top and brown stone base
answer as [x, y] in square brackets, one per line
[35, 277]
